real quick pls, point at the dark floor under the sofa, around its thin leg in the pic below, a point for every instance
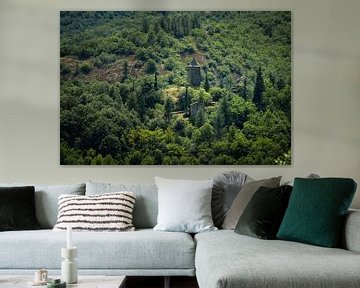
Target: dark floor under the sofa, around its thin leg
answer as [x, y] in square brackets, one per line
[158, 282]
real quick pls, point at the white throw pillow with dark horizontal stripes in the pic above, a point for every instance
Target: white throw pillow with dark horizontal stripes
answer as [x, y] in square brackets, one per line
[105, 212]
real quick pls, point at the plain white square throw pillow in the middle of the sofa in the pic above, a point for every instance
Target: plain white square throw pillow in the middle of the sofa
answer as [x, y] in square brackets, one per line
[184, 205]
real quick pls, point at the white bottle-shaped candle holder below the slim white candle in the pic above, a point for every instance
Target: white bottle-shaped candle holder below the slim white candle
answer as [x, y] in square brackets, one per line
[69, 265]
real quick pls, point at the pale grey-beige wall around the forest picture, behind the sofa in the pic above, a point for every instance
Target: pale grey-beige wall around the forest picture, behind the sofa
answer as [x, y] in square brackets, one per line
[326, 91]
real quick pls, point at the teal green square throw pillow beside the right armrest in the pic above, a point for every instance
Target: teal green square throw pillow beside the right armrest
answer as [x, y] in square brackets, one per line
[316, 211]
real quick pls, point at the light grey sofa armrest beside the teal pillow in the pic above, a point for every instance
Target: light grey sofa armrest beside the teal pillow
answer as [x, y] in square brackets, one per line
[351, 234]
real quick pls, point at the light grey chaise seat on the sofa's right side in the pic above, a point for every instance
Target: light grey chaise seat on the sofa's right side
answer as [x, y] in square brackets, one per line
[226, 259]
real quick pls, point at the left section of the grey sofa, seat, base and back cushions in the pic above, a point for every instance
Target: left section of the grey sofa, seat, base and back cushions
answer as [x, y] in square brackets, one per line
[143, 252]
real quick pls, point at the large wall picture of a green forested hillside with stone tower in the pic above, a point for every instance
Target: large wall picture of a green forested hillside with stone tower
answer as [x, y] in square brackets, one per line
[169, 88]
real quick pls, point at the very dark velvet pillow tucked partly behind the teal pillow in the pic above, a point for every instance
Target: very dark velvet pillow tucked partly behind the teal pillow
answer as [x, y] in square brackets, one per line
[263, 214]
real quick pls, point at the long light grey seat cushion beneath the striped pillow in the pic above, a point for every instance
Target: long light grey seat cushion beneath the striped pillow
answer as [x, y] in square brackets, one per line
[138, 250]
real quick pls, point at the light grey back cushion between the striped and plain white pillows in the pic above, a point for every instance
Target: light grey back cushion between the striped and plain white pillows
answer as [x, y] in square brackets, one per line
[146, 203]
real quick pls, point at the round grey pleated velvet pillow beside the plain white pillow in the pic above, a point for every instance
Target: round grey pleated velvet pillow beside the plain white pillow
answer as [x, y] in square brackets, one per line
[225, 189]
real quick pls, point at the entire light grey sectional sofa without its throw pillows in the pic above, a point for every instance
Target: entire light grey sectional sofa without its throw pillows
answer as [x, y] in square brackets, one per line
[218, 259]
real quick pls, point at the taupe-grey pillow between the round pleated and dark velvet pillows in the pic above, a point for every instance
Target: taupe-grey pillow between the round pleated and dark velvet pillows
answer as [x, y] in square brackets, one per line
[243, 198]
